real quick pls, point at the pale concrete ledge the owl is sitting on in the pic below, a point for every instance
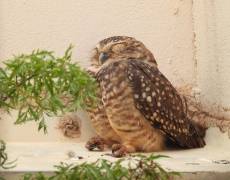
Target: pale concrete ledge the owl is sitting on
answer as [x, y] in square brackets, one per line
[211, 162]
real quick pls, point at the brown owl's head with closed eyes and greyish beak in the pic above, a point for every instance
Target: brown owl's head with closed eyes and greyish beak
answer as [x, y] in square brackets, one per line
[119, 48]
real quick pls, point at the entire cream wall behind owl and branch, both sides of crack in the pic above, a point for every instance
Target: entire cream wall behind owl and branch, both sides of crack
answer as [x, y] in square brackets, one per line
[185, 53]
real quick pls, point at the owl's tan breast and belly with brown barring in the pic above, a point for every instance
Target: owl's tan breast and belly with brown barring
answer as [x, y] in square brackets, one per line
[124, 117]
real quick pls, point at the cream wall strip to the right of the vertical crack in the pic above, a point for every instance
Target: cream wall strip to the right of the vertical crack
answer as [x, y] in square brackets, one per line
[212, 53]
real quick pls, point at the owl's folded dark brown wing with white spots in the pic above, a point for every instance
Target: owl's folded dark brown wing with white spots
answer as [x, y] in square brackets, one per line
[159, 102]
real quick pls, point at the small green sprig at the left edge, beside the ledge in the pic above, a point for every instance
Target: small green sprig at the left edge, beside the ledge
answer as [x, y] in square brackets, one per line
[4, 163]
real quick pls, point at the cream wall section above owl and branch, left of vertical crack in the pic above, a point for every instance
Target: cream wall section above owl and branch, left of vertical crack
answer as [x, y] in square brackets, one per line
[164, 26]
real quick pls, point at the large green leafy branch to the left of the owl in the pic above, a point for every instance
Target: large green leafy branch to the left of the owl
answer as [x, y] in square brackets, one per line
[40, 84]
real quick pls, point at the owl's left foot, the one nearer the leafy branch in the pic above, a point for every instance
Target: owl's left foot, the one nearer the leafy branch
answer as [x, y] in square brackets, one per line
[95, 143]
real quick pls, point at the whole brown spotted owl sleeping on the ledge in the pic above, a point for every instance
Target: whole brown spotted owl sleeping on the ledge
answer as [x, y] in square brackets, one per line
[139, 110]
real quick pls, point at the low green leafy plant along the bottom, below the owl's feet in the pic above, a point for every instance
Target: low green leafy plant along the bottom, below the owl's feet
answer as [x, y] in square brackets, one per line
[135, 167]
